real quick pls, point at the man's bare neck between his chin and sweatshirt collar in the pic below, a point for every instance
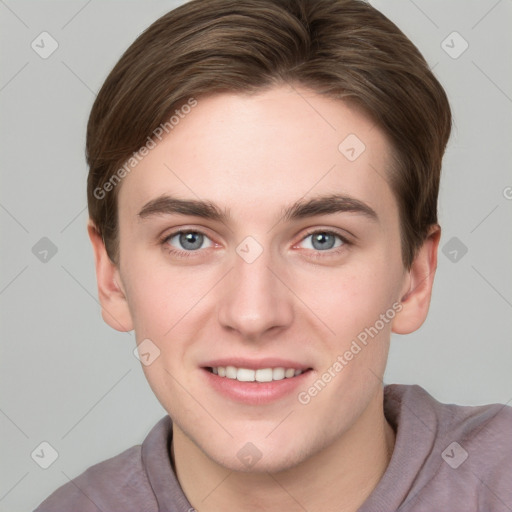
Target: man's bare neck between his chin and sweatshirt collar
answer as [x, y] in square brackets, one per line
[338, 478]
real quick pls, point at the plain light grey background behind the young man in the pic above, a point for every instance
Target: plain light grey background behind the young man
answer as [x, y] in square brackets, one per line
[70, 380]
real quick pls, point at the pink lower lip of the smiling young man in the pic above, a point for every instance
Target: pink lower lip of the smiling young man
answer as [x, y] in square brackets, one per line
[255, 393]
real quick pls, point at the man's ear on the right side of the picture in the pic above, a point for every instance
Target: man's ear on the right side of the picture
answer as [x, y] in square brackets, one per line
[417, 289]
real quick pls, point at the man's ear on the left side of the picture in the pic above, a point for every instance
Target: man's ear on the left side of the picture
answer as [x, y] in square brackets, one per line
[114, 307]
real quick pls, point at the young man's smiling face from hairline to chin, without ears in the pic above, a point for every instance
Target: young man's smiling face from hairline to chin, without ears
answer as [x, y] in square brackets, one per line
[291, 262]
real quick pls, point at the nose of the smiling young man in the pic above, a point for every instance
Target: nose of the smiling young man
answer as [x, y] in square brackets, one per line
[255, 299]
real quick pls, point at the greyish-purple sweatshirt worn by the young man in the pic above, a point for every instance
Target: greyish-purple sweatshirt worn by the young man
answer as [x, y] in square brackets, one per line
[446, 458]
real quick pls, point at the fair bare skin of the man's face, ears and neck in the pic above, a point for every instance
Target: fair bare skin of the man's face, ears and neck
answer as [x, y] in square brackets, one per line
[253, 156]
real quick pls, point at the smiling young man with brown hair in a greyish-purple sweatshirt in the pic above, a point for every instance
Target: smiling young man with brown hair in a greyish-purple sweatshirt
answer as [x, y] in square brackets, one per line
[262, 196]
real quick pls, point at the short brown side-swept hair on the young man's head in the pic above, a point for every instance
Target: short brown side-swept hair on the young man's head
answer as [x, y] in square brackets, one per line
[343, 49]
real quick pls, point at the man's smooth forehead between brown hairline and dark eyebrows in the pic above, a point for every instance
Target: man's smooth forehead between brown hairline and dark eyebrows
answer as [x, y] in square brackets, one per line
[261, 152]
